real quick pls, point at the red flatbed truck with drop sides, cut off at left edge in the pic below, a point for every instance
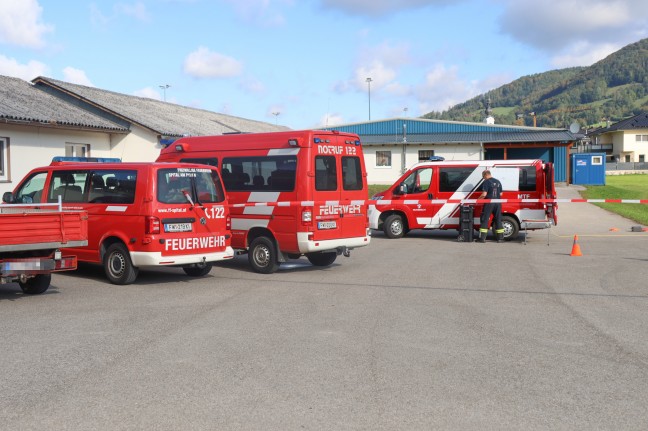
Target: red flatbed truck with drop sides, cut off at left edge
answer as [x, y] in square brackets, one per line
[31, 239]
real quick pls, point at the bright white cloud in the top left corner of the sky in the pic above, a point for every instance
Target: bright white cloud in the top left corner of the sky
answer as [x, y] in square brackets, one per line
[21, 24]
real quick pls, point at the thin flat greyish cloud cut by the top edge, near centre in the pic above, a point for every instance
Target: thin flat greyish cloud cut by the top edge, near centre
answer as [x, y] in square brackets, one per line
[380, 7]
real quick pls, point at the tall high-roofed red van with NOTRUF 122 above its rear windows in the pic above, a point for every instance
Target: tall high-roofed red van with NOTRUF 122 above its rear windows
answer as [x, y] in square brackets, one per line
[309, 187]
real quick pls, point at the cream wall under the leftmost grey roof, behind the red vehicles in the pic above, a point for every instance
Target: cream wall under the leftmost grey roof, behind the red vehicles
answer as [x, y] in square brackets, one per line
[31, 147]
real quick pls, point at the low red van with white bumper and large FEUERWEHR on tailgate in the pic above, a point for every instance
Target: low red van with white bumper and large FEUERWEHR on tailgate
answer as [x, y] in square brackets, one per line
[140, 214]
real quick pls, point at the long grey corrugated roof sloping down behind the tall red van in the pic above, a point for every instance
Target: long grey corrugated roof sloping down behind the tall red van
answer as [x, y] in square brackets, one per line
[164, 118]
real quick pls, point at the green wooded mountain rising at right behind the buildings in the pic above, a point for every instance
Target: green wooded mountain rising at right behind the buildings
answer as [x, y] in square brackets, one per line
[612, 89]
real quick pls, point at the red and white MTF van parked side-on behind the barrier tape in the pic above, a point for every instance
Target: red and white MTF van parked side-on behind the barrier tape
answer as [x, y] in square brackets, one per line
[403, 206]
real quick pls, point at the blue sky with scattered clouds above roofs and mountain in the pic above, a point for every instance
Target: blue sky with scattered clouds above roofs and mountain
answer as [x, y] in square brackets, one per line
[304, 63]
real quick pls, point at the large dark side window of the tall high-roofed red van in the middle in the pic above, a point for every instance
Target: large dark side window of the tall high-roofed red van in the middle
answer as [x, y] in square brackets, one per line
[259, 173]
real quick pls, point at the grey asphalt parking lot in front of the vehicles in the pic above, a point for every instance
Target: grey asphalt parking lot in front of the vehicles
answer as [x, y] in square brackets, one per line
[413, 334]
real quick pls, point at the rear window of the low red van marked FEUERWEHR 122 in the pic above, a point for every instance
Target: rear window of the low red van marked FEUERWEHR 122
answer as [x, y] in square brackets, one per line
[202, 185]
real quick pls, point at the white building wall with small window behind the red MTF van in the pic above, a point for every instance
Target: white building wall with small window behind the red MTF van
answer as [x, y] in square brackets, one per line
[388, 175]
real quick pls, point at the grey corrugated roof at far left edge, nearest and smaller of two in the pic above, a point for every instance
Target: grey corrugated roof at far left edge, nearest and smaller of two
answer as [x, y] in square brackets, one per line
[20, 101]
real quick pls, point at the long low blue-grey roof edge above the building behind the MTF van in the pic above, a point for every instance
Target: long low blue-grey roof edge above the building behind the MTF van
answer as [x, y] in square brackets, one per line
[540, 135]
